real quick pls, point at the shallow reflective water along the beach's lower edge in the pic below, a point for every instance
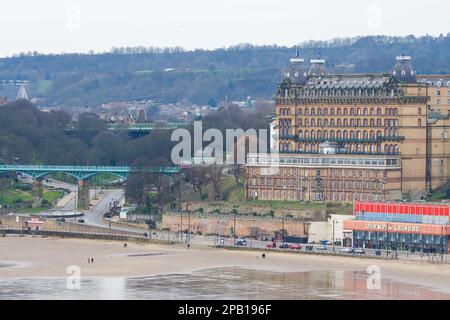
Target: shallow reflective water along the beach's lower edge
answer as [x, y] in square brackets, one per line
[219, 283]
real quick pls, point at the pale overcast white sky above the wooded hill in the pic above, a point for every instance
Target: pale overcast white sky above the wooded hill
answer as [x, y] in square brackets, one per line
[56, 26]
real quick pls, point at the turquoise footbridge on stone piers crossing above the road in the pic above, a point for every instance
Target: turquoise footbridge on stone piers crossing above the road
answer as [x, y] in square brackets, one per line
[81, 173]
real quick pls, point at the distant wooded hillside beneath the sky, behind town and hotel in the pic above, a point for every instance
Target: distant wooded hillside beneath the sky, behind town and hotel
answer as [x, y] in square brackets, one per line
[175, 75]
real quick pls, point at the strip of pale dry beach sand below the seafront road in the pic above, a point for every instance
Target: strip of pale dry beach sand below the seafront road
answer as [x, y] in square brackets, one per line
[23, 257]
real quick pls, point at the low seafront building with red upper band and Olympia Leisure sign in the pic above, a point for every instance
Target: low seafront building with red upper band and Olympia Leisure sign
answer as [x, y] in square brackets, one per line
[402, 226]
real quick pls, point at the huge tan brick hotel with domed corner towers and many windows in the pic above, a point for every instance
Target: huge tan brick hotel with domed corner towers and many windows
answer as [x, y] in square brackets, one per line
[346, 137]
